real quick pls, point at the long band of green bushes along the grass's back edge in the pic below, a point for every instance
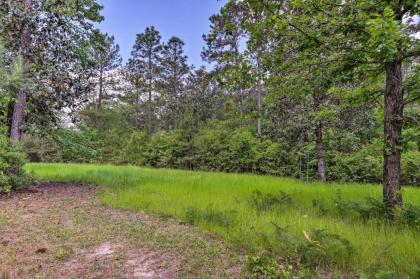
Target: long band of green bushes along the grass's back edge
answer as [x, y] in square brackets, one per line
[223, 146]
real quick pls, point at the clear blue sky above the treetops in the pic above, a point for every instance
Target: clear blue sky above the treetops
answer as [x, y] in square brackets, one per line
[186, 19]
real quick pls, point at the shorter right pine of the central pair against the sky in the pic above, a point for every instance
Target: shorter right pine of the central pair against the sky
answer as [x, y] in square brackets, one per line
[174, 70]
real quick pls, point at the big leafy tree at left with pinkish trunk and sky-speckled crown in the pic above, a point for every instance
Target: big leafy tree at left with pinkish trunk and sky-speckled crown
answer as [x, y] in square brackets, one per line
[51, 37]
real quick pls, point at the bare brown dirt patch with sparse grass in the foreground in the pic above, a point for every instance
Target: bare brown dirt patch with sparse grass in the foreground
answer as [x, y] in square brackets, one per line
[60, 231]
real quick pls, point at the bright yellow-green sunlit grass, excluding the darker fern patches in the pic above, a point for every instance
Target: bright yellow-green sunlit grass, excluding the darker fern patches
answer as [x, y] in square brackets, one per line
[174, 192]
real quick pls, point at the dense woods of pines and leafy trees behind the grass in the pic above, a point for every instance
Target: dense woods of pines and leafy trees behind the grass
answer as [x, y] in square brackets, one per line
[313, 90]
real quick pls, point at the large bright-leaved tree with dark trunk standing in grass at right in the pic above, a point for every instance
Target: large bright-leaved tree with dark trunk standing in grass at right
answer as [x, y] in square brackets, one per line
[359, 37]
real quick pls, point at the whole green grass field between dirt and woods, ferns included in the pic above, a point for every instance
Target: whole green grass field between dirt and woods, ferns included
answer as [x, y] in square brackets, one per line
[228, 205]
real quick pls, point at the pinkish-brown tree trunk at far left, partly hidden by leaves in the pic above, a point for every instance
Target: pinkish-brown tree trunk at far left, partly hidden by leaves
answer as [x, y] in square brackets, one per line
[20, 103]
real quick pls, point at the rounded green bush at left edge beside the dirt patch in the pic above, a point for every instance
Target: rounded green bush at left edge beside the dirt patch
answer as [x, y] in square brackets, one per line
[12, 159]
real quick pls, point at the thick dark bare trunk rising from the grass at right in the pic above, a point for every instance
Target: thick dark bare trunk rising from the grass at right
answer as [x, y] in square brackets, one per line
[393, 121]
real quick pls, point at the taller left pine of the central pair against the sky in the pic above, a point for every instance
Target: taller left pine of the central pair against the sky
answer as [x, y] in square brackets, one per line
[143, 67]
